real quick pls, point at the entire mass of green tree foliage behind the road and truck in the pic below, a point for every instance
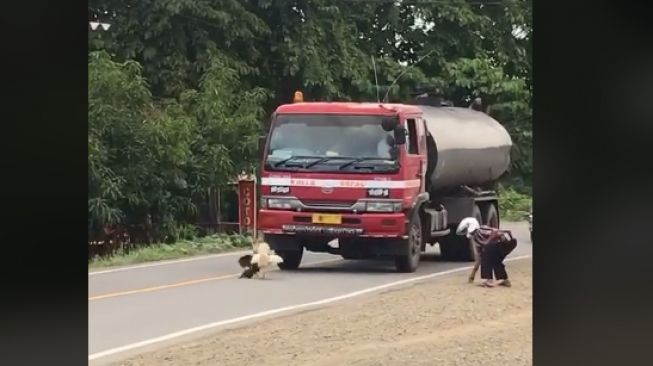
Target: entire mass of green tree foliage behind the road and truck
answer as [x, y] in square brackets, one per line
[178, 89]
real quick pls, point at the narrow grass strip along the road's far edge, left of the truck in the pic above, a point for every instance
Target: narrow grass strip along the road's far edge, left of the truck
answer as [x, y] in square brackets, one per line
[212, 244]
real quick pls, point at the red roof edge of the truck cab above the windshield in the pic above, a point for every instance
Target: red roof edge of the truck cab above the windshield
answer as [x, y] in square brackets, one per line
[347, 108]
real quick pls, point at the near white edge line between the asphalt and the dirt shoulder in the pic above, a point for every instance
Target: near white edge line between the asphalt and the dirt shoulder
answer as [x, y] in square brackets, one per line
[200, 328]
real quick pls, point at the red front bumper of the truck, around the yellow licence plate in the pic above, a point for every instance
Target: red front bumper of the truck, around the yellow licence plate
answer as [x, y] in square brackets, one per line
[374, 225]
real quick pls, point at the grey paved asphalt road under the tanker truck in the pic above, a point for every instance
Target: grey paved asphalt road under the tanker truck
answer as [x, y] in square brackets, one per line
[133, 305]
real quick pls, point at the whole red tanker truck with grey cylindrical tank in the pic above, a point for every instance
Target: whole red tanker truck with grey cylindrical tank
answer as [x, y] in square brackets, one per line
[384, 179]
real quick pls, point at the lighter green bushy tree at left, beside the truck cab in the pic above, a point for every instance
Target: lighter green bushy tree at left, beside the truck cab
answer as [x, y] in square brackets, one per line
[152, 162]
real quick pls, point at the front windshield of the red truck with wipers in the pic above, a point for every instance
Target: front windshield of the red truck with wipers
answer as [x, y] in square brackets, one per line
[330, 142]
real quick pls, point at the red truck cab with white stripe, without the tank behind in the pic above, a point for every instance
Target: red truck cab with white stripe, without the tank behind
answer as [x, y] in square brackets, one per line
[351, 171]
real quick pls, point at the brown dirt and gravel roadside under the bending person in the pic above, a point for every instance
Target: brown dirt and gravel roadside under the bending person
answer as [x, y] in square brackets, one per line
[456, 324]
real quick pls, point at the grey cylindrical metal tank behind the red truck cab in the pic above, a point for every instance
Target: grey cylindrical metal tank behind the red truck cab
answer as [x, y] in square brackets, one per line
[465, 147]
